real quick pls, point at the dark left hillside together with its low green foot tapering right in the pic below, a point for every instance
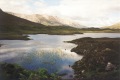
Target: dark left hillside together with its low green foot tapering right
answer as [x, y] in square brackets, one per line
[10, 24]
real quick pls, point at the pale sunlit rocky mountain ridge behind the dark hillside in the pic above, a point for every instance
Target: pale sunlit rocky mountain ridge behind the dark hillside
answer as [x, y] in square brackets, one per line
[49, 20]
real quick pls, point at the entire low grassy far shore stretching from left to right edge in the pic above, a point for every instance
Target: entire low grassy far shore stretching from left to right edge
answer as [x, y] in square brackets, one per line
[17, 34]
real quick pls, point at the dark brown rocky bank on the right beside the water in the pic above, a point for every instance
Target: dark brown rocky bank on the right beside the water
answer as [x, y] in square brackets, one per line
[101, 59]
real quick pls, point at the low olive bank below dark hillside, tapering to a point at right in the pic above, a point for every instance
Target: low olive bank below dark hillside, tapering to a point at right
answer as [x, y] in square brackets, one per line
[17, 34]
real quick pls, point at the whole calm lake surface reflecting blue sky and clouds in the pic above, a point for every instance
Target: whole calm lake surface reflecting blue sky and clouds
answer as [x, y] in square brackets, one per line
[46, 51]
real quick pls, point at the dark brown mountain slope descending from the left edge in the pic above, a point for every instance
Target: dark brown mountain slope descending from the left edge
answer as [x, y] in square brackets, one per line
[12, 23]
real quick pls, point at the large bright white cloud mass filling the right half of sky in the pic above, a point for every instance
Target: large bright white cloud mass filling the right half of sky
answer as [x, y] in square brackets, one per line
[98, 12]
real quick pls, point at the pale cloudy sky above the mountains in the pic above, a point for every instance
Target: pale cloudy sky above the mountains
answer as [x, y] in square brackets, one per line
[91, 13]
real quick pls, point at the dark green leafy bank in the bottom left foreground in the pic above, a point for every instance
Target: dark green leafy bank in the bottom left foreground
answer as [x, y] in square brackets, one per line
[16, 72]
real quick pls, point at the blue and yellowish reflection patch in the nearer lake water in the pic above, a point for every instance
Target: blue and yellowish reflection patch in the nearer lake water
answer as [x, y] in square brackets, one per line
[52, 59]
